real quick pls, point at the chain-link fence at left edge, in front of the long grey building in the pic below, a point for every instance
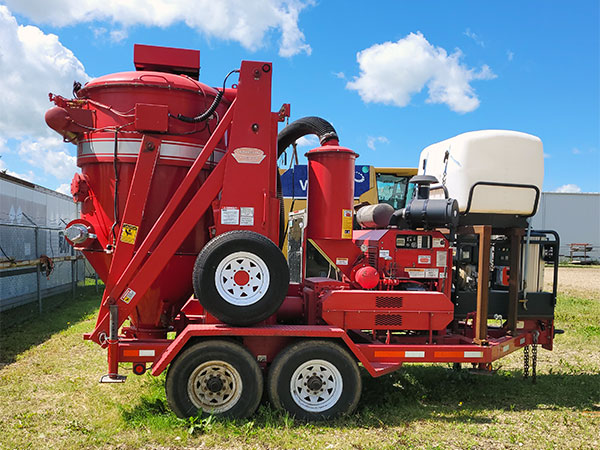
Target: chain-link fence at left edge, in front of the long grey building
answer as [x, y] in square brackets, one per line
[36, 262]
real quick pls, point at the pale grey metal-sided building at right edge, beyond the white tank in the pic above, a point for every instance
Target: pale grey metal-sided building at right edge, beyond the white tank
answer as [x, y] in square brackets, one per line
[576, 218]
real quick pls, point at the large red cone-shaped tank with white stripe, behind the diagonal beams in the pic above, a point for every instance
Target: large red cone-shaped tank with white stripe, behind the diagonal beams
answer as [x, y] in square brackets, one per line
[121, 92]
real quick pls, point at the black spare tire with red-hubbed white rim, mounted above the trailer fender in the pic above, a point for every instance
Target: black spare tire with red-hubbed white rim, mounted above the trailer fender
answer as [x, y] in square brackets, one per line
[241, 277]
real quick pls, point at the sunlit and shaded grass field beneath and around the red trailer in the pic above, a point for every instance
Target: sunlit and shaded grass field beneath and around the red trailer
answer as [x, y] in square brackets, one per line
[50, 396]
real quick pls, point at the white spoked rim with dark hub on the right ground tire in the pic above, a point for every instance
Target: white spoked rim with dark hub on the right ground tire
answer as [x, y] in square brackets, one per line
[327, 394]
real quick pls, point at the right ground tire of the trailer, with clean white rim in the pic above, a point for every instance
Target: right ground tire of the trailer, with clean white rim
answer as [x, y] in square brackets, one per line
[314, 380]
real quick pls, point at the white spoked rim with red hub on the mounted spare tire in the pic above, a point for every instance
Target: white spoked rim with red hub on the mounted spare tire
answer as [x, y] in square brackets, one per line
[229, 286]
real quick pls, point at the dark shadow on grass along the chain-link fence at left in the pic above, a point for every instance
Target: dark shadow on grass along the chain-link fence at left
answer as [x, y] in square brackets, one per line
[22, 328]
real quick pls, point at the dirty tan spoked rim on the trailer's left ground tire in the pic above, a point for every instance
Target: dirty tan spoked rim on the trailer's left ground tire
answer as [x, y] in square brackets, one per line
[224, 395]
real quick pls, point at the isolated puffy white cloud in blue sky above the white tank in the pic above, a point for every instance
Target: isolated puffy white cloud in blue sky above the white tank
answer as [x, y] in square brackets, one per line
[392, 72]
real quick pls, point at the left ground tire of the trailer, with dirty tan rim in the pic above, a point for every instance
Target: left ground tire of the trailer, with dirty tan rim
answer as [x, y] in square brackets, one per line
[214, 377]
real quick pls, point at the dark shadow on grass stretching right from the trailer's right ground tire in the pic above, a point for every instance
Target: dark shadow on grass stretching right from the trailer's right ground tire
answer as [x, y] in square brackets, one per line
[438, 393]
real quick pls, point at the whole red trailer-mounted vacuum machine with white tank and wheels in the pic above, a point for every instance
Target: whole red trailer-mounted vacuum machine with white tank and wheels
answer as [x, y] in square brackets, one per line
[182, 217]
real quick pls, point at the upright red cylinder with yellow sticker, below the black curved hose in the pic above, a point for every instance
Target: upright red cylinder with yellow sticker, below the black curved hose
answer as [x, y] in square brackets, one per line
[330, 192]
